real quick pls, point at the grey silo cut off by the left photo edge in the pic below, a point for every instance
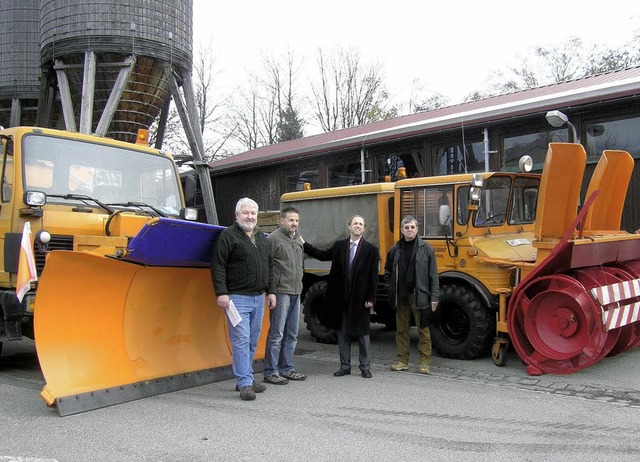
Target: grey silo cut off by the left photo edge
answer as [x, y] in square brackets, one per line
[20, 58]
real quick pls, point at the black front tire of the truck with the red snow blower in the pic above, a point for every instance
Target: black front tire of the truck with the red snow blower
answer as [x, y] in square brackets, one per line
[465, 328]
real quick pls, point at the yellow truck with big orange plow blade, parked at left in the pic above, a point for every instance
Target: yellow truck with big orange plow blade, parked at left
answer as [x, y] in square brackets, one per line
[124, 305]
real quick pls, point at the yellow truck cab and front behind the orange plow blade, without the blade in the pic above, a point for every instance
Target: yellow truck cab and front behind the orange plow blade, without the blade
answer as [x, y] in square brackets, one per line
[78, 192]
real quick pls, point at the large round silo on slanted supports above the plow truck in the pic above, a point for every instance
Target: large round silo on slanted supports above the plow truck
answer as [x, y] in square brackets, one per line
[107, 62]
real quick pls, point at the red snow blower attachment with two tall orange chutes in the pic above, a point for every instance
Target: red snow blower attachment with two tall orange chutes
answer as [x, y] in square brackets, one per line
[582, 301]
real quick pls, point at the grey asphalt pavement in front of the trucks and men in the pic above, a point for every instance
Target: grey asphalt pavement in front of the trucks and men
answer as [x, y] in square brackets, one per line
[462, 411]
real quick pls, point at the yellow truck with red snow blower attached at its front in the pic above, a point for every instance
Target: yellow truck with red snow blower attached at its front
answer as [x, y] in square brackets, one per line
[507, 245]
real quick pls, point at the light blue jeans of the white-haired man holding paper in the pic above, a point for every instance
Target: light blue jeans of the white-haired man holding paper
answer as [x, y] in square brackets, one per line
[244, 337]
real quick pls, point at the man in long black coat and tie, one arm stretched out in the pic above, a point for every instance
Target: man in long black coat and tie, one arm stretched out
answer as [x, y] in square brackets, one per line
[351, 292]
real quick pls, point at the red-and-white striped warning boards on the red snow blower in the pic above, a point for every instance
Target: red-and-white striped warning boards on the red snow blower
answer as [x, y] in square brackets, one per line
[620, 315]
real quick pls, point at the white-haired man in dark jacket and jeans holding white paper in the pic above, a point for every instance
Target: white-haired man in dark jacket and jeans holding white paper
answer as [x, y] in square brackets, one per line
[242, 272]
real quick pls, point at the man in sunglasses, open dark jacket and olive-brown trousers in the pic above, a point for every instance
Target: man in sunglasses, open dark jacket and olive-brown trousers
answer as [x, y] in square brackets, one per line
[412, 275]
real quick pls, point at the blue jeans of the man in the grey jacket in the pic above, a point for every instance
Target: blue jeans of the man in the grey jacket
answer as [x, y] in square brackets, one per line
[283, 335]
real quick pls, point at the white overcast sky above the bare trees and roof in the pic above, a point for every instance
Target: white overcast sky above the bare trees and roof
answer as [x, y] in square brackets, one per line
[451, 46]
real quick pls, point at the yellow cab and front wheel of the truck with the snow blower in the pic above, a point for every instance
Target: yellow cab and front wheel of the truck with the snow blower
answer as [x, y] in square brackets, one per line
[481, 227]
